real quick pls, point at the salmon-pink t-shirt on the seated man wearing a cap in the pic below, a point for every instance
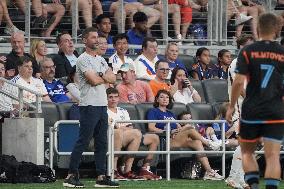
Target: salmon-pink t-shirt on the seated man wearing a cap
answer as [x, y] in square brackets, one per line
[139, 93]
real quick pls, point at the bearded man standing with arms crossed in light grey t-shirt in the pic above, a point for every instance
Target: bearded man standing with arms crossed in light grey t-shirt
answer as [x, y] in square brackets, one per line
[93, 73]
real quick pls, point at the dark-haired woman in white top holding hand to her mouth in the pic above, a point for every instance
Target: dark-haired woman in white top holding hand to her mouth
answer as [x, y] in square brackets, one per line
[186, 93]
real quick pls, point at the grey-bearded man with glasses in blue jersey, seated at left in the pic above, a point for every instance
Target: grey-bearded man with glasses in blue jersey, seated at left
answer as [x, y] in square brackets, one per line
[55, 88]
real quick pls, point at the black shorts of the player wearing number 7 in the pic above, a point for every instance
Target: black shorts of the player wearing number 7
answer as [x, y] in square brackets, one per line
[250, 132]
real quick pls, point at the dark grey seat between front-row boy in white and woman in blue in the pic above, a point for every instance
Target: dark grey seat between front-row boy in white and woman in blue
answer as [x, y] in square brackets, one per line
[142, 110]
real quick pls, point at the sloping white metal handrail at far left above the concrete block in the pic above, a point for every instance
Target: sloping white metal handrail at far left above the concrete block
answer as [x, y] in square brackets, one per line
[20, 99]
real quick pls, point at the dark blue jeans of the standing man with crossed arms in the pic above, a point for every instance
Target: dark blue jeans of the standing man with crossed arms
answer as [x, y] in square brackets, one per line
[93, 123]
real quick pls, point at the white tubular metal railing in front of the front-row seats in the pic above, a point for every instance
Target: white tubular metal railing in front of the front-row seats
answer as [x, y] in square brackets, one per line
[53, 145]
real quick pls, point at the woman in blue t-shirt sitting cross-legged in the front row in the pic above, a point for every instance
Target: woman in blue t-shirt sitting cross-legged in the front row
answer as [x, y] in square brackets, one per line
[180, 135]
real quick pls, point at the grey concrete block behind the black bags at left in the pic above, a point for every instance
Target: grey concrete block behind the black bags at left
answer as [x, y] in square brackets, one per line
[24, 138]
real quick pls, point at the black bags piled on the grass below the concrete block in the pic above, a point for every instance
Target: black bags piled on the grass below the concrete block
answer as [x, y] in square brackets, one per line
[12, 171]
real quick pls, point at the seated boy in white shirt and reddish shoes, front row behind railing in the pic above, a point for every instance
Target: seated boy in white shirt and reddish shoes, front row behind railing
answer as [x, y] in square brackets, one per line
[127, 136]
